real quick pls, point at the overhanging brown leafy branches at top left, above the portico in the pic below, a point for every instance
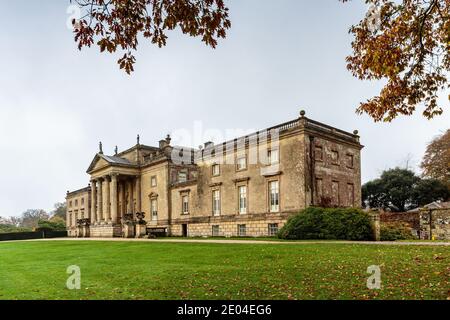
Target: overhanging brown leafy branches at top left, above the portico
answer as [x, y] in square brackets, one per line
[118, 24]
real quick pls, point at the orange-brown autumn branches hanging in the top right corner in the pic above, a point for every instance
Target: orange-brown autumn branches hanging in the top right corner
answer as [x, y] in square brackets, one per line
[408, 46]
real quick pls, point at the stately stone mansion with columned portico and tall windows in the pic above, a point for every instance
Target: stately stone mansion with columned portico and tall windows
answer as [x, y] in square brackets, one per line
[248, 186]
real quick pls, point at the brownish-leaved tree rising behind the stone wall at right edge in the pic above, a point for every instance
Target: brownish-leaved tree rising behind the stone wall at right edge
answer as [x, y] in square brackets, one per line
[436, 162]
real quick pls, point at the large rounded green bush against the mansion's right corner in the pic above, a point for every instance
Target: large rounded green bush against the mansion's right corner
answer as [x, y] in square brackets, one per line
[328, 224]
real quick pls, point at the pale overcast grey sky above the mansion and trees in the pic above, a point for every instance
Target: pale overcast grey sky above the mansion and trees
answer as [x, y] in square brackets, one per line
[57, 103]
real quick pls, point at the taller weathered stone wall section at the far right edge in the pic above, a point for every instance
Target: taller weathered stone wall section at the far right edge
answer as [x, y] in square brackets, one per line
[435, 224]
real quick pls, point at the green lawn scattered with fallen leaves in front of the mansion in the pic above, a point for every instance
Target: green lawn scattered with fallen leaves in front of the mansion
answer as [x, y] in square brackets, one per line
[149, 270]
